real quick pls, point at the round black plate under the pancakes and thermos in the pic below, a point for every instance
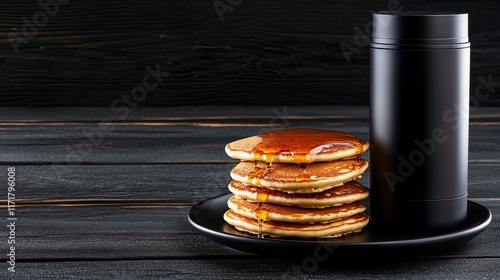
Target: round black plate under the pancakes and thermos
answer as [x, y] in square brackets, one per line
[206, 217]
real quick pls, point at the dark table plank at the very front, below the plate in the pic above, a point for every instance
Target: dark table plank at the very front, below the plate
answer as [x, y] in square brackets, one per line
[263, 268]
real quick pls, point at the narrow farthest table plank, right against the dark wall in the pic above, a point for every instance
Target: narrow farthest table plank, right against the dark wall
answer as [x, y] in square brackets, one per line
[145, 114]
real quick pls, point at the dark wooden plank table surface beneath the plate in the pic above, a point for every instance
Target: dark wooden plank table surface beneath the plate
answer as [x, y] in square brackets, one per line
[104, 193]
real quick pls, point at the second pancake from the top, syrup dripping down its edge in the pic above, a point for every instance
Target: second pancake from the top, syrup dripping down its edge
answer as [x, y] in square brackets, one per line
[293, 178]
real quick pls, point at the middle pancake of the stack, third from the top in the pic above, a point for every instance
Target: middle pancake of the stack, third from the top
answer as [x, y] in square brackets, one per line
[349, 192]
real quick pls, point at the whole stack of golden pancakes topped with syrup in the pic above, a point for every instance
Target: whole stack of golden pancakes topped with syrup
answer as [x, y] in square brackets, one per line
[298, 183]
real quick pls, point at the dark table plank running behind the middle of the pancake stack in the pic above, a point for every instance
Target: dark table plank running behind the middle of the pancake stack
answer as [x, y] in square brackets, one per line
[164, 184]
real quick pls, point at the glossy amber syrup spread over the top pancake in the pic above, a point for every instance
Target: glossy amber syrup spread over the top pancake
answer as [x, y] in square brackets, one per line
[303, 144]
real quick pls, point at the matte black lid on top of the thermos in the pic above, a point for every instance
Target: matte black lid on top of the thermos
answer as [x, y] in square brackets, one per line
[420, 28]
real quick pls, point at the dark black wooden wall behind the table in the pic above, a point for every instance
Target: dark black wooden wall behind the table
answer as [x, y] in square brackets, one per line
[263, 52]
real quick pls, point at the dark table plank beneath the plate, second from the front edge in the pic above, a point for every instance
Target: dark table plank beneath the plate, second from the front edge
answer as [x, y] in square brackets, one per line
[75, 233]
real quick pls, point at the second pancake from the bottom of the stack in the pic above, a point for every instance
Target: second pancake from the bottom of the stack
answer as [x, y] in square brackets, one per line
[281, 213]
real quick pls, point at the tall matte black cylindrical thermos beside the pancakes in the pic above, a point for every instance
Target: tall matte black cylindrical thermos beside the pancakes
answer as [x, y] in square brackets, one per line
[419, 121]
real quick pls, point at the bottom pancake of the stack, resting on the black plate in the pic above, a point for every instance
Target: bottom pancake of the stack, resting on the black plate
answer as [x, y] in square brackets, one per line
[283, 229]
